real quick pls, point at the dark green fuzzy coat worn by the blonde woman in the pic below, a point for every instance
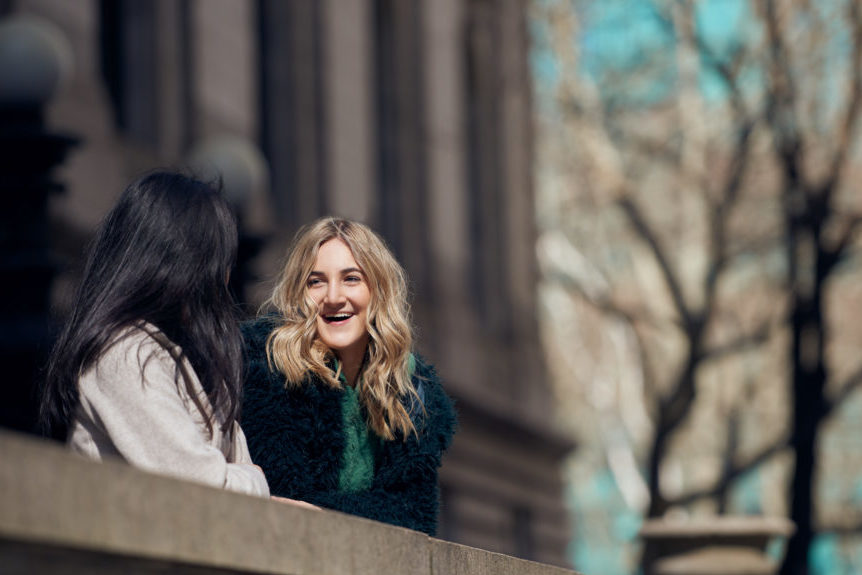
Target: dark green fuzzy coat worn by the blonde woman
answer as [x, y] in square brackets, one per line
[295, 434]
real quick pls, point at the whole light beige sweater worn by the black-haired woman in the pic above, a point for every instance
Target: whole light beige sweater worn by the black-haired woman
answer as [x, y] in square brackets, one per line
[132, 408]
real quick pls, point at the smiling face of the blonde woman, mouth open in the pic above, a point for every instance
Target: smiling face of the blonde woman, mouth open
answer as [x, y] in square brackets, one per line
[340, 290]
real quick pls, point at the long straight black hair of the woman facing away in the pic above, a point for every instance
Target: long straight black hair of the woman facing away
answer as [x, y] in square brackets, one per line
[162, 255]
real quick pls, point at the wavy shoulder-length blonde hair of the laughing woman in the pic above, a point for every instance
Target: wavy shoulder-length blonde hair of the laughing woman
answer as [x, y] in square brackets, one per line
[295, 349]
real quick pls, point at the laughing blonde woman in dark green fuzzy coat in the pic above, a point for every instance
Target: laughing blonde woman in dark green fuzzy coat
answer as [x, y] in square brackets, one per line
[337, 410]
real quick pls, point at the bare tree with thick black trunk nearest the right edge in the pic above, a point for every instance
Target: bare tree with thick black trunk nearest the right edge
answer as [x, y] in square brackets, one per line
[810, 209]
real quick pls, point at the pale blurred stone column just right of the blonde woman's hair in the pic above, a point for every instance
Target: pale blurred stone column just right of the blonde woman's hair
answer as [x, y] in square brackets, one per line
[456, 345]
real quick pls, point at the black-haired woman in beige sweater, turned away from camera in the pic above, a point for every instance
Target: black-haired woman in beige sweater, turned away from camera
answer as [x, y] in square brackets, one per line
[148, 367]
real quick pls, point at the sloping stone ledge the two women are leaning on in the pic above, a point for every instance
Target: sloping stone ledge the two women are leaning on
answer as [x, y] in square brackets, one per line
[60, 510]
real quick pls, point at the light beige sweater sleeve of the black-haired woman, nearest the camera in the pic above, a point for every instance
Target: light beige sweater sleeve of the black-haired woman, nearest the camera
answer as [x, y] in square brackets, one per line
[132, 395]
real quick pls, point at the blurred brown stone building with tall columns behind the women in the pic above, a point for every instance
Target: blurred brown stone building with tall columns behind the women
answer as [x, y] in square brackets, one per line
[410, 115]
